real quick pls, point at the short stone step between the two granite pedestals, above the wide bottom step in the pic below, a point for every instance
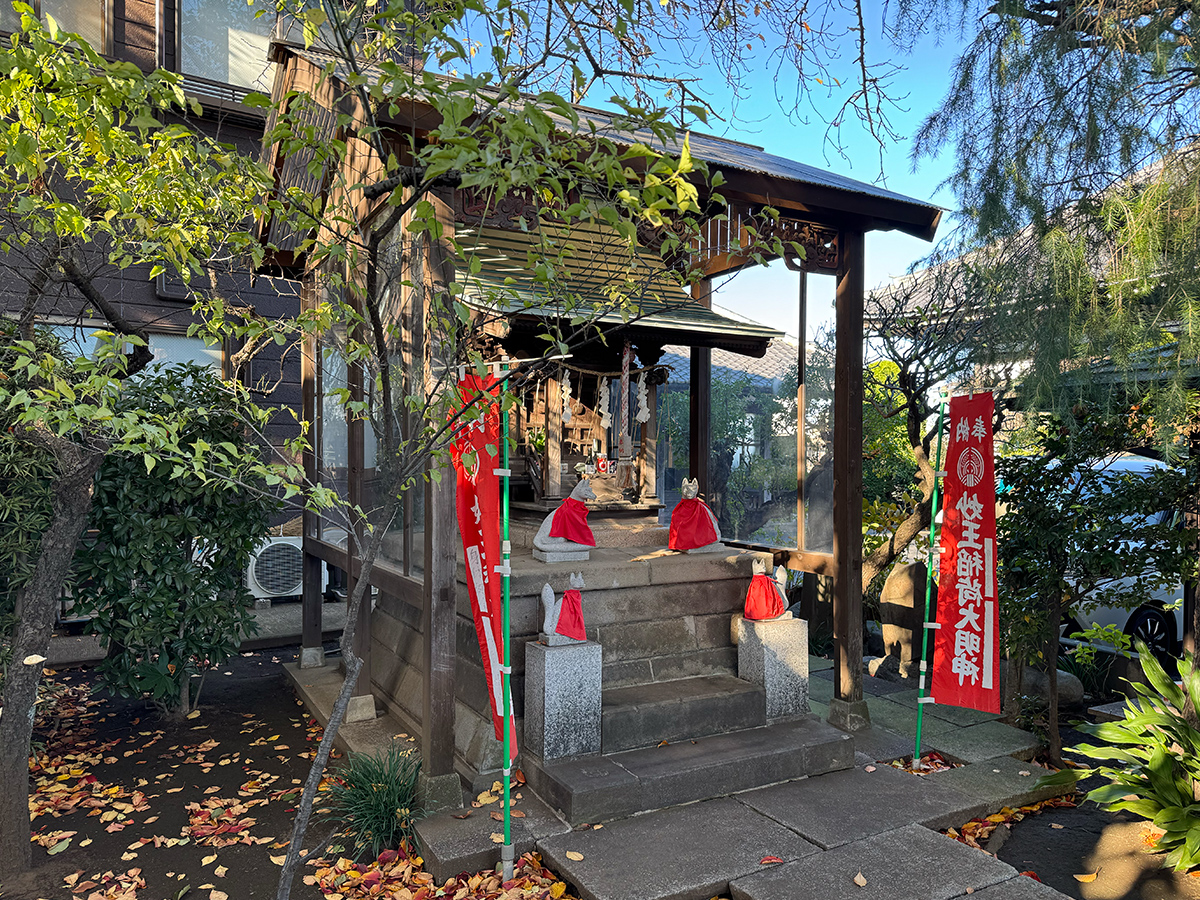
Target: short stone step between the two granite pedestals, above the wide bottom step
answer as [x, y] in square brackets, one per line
[646, 715]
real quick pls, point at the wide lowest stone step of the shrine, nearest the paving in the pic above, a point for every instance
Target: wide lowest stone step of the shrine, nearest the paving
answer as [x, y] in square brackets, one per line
[596, 789]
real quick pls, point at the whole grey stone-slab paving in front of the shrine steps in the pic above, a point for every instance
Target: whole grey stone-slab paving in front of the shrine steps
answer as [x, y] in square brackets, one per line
[826, 830]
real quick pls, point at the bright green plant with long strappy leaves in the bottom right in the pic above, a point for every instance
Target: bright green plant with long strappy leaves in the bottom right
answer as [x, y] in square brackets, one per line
[1157, 755]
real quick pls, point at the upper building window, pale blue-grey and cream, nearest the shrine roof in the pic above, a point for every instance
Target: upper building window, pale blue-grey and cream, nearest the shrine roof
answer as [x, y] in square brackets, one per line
[223, 41]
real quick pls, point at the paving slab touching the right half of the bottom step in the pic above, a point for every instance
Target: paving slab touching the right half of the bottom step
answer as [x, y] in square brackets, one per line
[850, 806]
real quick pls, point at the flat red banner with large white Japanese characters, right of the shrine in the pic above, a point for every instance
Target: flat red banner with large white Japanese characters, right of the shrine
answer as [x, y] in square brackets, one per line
[967, 647]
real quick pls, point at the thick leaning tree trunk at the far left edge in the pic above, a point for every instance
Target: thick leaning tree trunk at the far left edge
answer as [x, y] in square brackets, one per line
[56, 554]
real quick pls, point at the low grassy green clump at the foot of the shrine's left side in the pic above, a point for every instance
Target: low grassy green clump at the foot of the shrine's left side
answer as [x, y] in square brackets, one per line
[375, 797]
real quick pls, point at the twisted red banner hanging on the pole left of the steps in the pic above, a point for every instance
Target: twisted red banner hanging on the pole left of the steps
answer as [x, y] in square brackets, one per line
[475, 457]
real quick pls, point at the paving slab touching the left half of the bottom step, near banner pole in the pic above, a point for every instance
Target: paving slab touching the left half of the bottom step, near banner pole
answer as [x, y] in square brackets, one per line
[682, 854]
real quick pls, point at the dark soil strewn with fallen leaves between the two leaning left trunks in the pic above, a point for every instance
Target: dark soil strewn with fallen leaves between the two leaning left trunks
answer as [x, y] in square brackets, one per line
[113, 773]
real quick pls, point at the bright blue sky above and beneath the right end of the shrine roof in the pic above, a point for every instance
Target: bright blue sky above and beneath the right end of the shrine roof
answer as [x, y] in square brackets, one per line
[770, 295]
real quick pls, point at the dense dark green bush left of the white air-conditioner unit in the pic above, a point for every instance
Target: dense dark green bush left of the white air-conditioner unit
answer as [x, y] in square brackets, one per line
[164, 567]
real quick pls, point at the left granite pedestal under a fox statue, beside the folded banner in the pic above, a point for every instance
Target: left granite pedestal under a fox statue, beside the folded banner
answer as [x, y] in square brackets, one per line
[562, 715]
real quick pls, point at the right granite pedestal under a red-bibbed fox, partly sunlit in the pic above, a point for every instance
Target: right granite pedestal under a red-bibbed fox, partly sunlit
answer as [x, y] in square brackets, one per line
[775, 653]
